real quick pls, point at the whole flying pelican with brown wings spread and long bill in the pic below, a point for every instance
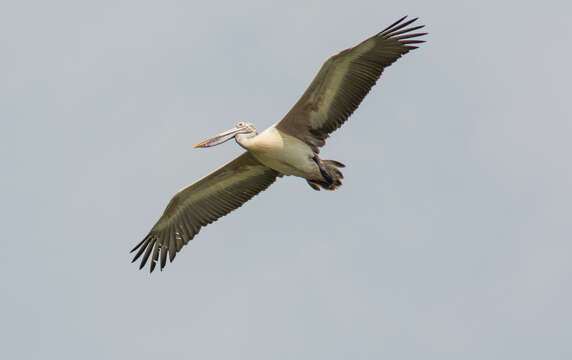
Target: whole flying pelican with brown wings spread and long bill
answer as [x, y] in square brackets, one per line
[289, 147]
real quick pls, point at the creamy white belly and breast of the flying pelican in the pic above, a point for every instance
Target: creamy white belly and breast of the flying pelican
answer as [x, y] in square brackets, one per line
[284, 153]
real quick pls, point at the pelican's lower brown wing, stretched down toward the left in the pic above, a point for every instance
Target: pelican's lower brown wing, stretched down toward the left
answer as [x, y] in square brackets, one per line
[202, 203]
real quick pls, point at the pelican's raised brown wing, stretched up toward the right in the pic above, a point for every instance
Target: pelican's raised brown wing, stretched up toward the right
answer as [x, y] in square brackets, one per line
[343, 81]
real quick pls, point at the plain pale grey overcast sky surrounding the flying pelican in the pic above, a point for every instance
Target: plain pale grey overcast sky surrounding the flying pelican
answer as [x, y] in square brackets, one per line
[450, 238]
